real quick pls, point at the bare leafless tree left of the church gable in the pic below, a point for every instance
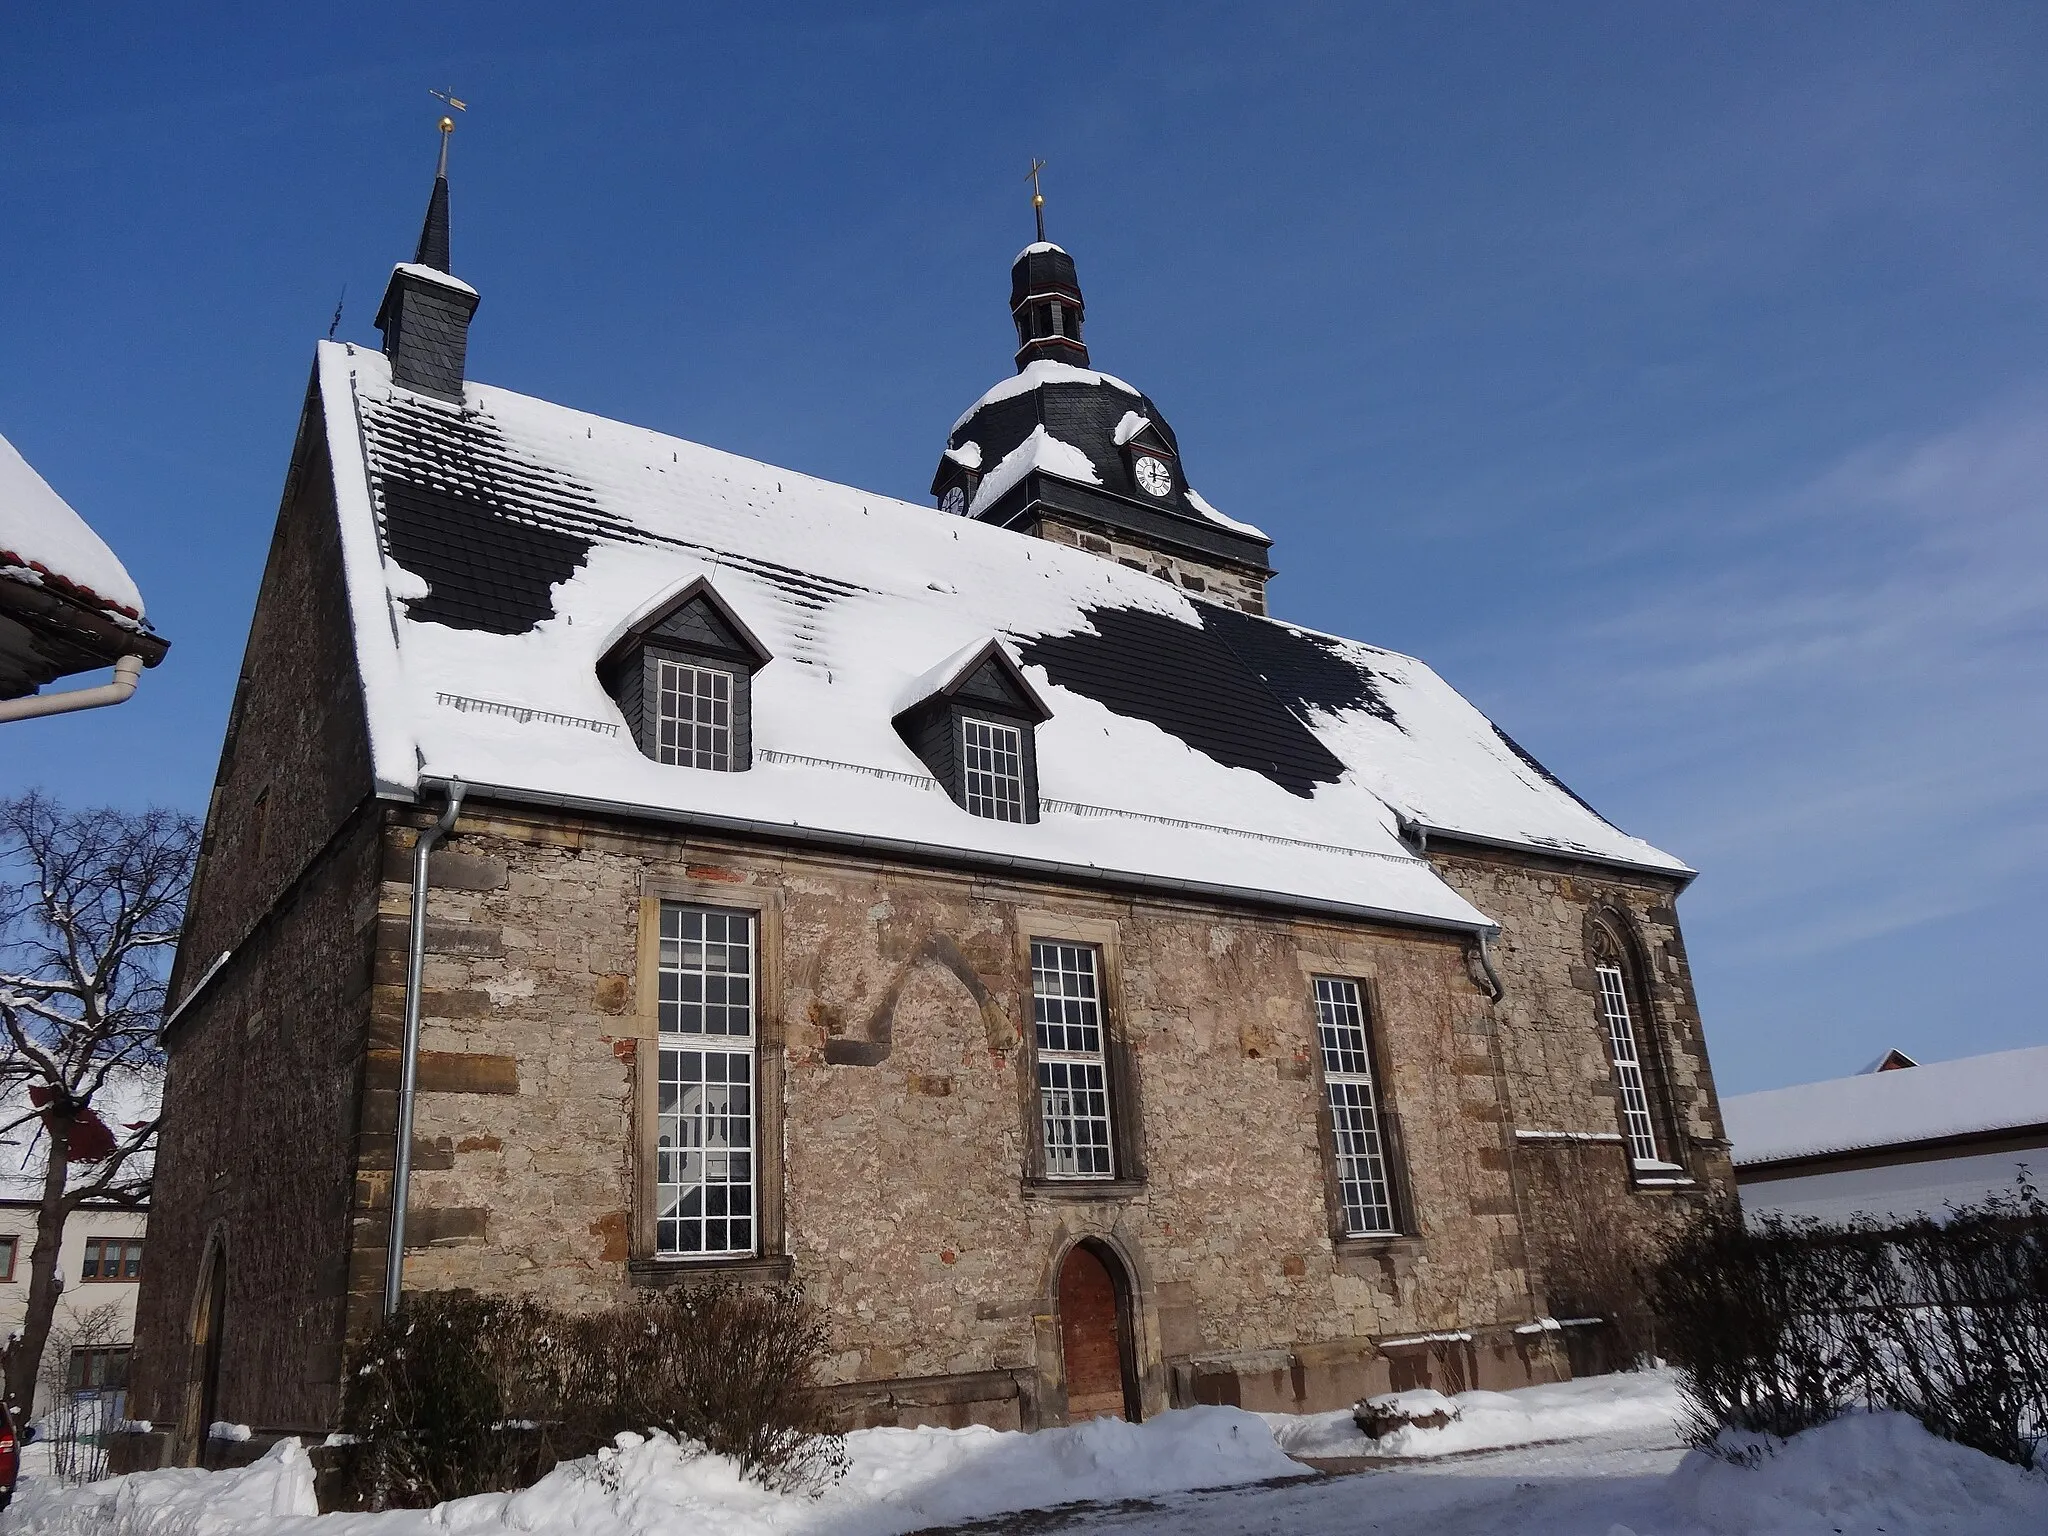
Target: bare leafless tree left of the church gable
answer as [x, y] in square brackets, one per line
[89, 916]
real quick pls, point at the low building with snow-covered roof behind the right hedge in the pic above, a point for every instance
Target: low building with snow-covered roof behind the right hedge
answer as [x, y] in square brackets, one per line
[1895, 1142]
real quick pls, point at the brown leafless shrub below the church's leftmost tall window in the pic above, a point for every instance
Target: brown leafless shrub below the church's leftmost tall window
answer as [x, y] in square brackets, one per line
[464, 1394]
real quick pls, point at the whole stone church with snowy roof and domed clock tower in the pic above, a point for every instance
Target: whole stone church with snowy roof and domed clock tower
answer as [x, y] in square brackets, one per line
[1099, 994]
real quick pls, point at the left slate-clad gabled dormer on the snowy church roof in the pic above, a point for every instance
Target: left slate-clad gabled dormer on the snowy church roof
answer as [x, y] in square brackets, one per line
[685, 681]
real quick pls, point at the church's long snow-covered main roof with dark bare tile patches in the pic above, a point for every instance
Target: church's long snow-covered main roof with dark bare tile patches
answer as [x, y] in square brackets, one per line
[497, 550]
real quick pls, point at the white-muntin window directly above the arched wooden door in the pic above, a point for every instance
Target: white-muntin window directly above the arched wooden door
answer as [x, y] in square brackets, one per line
[1074, 1074]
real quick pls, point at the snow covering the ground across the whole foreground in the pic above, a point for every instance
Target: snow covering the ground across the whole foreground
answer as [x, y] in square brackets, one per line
[1189, 1474]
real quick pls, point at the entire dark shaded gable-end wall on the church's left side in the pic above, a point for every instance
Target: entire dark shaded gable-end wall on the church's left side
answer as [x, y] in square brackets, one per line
[265, 1066]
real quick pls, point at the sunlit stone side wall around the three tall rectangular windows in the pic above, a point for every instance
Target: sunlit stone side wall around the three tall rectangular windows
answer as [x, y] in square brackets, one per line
[906, 1117]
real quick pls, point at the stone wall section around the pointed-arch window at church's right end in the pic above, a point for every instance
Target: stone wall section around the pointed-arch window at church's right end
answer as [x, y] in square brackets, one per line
[1576, 1193]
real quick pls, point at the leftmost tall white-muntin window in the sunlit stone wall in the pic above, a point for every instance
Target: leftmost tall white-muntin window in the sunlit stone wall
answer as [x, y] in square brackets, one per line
[706, 1109]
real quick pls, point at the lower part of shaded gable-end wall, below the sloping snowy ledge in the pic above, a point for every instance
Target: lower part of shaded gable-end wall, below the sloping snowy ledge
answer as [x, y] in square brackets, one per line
[257, 1158]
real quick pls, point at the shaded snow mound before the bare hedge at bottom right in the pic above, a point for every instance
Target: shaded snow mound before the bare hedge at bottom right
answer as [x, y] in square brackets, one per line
[1865, 1474]
